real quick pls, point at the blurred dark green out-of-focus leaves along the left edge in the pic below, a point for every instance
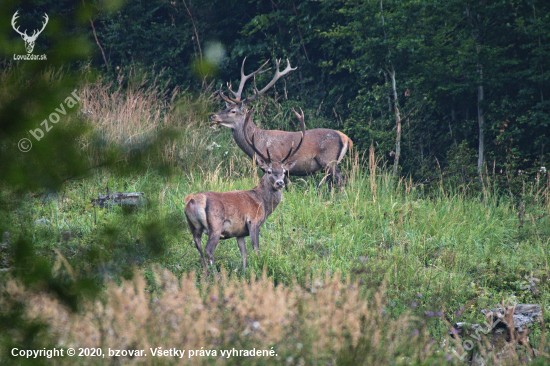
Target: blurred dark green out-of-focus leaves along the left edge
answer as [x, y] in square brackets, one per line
[42, 127]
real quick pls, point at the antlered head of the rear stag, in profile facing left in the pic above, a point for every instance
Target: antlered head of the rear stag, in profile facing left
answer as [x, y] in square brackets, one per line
[234, 114]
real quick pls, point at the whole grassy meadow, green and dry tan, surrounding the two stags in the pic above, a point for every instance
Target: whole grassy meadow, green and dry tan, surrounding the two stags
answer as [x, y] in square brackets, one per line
[375, 273]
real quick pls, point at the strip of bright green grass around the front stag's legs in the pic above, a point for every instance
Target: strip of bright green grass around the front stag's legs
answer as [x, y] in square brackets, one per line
[440, 251]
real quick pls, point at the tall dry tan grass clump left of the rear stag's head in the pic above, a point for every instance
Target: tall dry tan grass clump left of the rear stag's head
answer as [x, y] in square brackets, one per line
[130, 113]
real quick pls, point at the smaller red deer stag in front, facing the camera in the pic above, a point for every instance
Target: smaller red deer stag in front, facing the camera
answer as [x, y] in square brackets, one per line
[238, 214]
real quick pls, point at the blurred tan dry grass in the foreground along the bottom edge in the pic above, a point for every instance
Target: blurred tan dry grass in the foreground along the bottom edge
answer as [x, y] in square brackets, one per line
[327, 323]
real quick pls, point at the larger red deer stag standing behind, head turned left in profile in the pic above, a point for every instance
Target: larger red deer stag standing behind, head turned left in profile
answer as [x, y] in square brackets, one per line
[323, 148]
